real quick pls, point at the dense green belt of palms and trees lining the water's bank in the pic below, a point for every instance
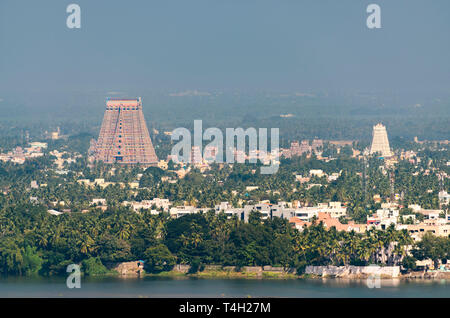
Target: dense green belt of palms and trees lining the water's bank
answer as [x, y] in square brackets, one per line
[34, 241]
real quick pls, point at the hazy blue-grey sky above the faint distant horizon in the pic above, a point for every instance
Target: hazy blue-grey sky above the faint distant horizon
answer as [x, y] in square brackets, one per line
[224, 44]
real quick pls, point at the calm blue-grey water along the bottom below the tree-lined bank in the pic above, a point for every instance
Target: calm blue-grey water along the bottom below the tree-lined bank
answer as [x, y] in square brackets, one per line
[167, 287]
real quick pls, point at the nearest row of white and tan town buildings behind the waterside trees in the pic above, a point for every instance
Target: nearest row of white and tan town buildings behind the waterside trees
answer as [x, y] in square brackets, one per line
[331, 214]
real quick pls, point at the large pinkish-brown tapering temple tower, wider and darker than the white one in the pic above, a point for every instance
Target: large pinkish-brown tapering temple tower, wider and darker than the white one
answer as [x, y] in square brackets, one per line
[124, 136]
